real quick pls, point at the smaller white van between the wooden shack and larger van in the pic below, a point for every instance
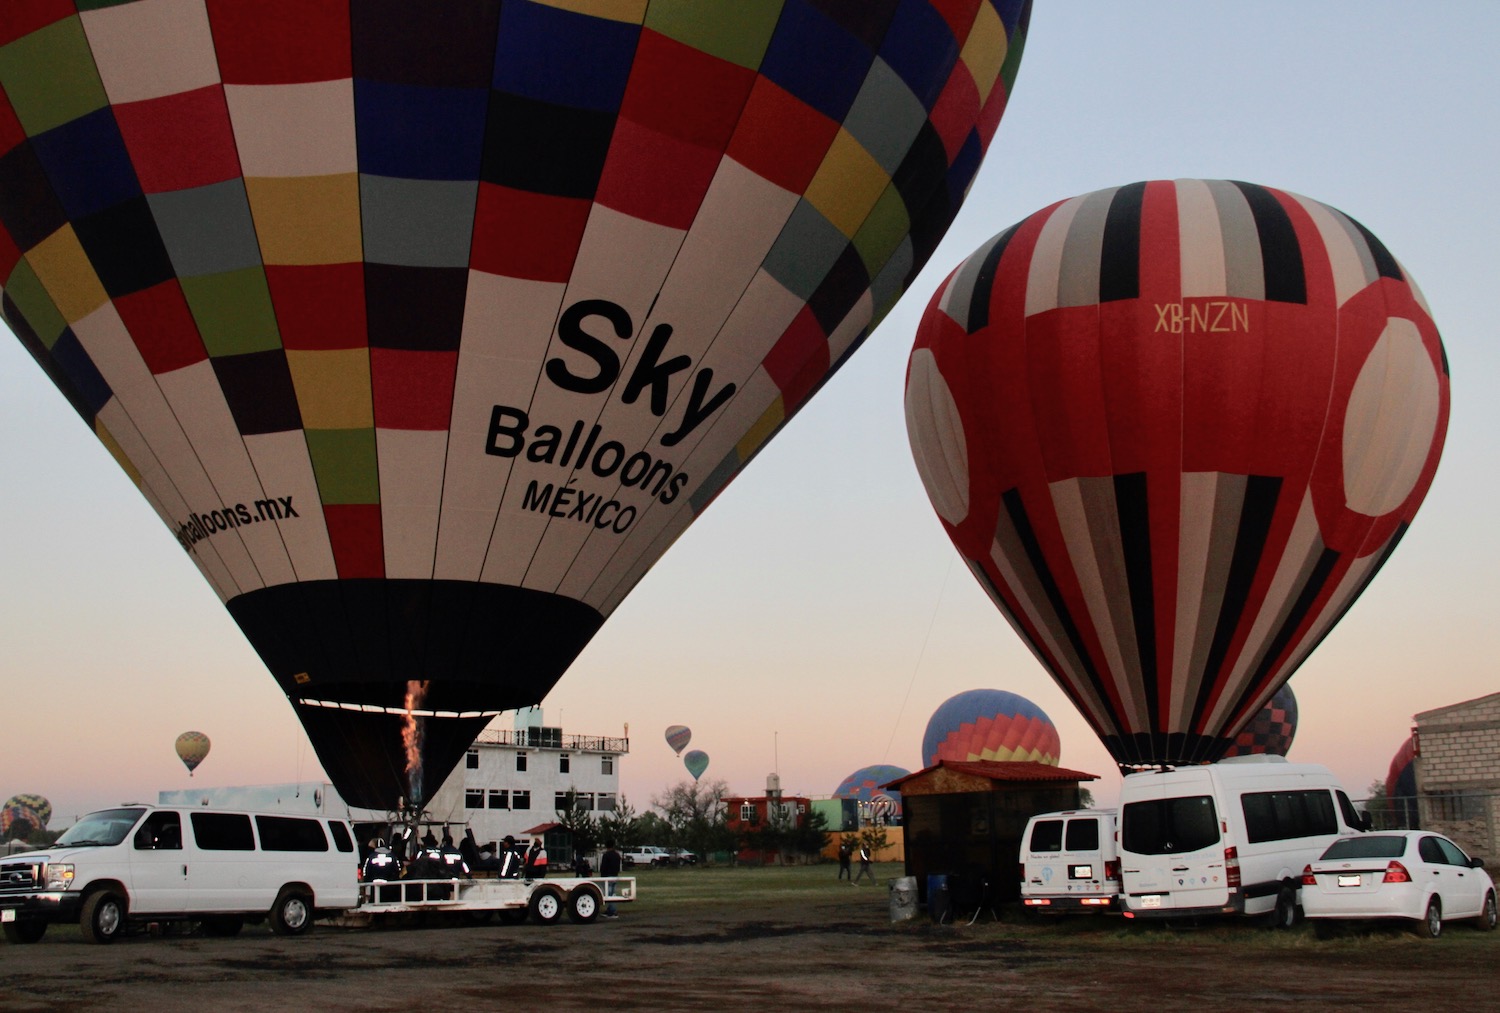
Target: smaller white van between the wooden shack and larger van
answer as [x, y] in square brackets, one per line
[1070, 862]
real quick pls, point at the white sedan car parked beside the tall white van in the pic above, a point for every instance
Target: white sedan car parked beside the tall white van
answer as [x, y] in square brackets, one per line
[1399, 874]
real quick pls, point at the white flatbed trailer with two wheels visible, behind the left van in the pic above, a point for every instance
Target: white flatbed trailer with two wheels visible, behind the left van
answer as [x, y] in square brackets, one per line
[544, 901]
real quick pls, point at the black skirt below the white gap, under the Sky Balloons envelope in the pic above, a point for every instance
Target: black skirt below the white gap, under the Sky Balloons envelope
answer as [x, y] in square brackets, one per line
[365, 753]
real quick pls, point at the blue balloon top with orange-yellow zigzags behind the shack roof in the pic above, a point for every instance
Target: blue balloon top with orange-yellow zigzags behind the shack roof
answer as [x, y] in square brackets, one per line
[991, 724]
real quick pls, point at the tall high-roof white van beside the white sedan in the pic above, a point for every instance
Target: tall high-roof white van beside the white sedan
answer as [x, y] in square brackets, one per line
[1228, 838]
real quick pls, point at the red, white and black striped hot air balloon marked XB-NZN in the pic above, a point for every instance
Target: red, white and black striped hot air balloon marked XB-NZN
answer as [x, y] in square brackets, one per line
[1175, 428]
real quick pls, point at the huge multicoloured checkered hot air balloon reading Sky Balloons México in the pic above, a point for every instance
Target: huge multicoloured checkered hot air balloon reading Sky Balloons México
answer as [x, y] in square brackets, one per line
[428, 328]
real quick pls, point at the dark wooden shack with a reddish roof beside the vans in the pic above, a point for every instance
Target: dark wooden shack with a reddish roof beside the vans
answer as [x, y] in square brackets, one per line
[965, 820]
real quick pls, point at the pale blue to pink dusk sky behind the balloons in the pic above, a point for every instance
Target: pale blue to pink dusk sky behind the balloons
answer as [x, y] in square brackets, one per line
[812, 621]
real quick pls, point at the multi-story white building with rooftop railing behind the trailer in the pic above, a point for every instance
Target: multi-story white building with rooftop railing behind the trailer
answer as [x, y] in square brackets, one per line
[517, 780]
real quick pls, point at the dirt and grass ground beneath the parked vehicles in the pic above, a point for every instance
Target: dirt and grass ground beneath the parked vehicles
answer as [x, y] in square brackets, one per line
[815, 946]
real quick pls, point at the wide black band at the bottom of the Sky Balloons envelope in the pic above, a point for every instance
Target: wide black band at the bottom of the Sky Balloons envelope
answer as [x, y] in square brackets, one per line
[361, 642]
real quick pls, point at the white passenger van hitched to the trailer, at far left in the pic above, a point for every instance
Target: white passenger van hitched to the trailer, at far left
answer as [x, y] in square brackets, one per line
[155, 864]
